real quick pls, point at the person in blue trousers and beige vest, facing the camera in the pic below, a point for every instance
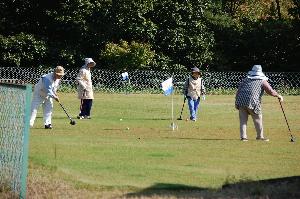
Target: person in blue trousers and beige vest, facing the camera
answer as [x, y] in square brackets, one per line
[193, 89]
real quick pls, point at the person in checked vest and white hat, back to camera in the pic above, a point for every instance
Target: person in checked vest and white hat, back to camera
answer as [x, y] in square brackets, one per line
[248, 101]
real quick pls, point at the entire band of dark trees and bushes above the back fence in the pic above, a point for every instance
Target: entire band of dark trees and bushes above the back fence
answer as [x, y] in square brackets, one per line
[172, 34]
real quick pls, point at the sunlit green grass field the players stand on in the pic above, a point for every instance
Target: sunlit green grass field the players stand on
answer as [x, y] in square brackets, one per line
[100, 158]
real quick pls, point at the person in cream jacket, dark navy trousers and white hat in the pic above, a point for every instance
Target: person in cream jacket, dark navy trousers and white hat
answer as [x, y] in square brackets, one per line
[85, 89]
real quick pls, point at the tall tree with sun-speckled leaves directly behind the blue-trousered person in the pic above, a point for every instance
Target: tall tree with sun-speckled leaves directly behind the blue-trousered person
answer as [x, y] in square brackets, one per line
[182, 34]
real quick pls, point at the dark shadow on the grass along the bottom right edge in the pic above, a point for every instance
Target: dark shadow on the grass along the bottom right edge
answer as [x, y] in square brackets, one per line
[288, 187]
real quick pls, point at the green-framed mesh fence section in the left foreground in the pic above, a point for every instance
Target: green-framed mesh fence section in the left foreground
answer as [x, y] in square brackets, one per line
[15, 102]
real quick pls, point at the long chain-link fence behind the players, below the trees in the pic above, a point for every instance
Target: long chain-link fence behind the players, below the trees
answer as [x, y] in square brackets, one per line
[149, 81]
